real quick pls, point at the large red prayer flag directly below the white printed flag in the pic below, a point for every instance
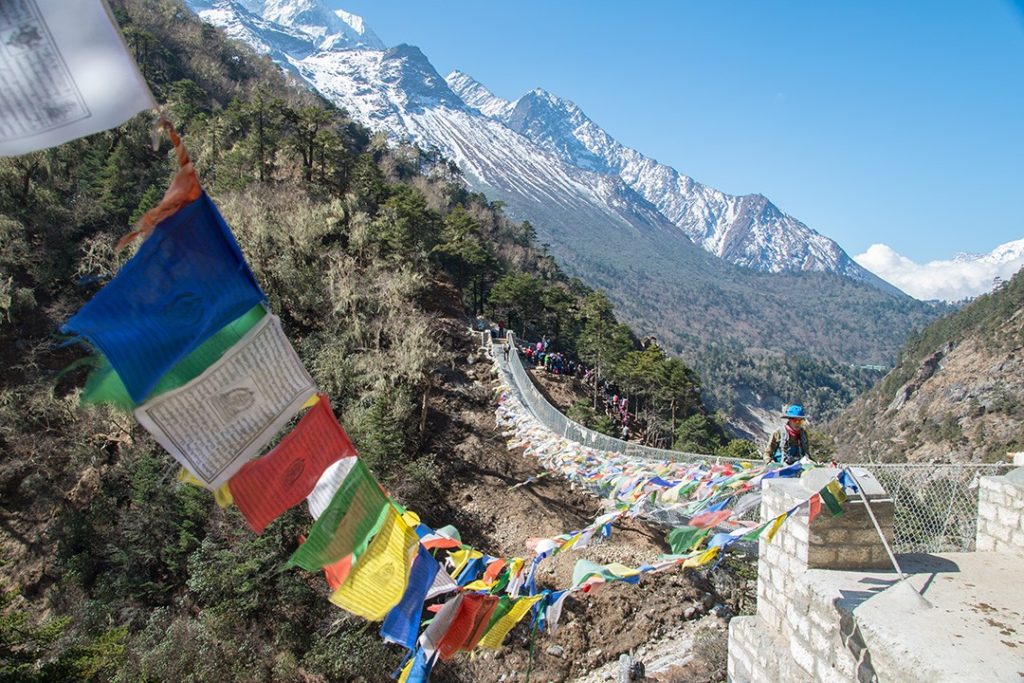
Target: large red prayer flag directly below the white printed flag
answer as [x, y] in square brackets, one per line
[265, 489]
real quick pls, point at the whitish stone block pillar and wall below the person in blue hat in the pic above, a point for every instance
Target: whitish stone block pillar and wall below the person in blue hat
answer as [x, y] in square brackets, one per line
[802, 630]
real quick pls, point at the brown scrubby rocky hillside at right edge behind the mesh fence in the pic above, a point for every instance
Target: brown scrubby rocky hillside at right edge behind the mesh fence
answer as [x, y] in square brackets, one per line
[956, 396]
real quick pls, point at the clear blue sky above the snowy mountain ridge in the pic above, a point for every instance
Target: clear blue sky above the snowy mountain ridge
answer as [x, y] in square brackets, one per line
[873, 122]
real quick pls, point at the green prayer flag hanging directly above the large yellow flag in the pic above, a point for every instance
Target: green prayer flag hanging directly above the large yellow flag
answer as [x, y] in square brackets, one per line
[355, 515]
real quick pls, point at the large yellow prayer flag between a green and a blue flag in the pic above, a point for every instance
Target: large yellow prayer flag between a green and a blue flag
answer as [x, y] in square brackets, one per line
[378, 580]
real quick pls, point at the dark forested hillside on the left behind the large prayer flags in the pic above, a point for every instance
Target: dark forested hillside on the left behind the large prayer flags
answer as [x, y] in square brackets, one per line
[375, 259]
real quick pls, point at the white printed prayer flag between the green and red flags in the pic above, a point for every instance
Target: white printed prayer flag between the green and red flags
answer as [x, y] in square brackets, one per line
[217, 423]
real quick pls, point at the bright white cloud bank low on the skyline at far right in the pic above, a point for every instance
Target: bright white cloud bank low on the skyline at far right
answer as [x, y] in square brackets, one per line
[951, 281]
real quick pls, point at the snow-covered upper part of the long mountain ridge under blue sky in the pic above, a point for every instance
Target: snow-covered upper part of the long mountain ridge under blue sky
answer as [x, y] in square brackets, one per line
[537, 149]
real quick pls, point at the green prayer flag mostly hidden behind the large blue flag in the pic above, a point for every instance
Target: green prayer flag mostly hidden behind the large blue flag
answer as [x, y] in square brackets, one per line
[105, 386]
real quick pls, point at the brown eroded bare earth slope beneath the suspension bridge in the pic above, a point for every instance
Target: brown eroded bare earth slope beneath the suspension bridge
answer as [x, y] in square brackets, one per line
[675, 623]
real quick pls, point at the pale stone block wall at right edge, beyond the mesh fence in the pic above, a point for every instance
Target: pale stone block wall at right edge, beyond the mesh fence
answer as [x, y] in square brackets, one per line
[1001, 513]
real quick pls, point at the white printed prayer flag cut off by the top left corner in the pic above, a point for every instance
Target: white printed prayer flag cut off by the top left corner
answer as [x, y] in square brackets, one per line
[65, 73]
